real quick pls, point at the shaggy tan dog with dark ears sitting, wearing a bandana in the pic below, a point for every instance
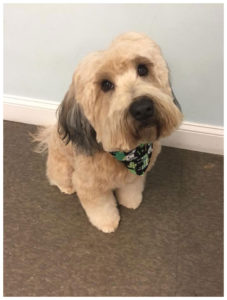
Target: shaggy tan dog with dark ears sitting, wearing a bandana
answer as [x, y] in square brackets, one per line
[109, 124]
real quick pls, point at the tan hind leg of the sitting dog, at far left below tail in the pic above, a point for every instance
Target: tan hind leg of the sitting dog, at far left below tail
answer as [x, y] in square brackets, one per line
[59, 172]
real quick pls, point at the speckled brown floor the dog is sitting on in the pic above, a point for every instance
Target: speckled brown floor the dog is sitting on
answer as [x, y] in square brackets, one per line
[171, 246]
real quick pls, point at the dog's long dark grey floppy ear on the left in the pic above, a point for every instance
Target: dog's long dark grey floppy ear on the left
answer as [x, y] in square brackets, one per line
[73, 125]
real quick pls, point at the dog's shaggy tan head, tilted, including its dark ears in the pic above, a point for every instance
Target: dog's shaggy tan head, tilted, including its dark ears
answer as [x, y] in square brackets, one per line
[120, 98]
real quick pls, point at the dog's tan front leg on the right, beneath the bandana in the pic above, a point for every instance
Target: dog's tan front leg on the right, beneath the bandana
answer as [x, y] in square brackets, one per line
[130, 195]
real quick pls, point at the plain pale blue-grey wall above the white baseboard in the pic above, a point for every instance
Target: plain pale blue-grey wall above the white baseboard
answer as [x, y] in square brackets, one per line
[44, 42]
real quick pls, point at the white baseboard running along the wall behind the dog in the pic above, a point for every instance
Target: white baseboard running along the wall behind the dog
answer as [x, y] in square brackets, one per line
[190, 136]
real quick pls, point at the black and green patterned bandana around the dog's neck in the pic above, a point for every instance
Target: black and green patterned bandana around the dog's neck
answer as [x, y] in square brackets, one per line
[136, 160]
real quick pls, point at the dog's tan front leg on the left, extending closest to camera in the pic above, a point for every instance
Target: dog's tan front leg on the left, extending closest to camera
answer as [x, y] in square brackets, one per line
[101, 209]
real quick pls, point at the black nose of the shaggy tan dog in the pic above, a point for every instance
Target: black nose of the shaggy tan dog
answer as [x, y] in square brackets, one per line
[142, 108]
